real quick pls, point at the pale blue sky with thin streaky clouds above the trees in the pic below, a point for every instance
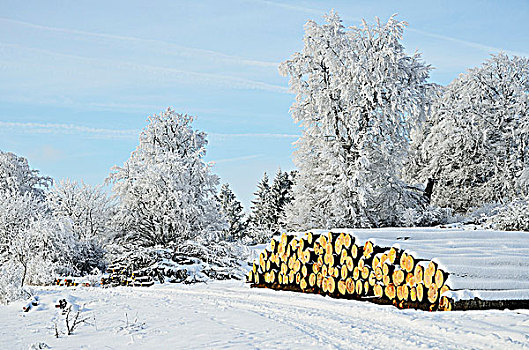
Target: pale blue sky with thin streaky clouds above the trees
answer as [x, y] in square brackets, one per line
[78, 79]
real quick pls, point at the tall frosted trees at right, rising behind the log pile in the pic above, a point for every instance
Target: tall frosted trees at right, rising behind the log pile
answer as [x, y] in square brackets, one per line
[375, 132]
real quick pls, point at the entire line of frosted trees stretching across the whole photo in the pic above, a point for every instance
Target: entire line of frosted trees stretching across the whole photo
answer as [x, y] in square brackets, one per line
[375, 132]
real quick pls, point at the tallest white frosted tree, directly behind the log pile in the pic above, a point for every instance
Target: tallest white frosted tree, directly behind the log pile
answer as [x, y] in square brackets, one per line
[357, 96]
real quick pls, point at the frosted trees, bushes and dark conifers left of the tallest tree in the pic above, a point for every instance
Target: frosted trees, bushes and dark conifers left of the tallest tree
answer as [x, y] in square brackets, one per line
[165, 216]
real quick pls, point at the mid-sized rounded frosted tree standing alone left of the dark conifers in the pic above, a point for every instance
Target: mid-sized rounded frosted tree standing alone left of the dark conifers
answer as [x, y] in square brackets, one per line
[165, 190]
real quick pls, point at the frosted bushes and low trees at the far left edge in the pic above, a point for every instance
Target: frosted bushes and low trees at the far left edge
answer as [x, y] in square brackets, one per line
[47, 230]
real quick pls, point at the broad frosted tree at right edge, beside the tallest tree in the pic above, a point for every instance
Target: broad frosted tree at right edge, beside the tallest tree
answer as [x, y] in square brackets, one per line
[476, 149]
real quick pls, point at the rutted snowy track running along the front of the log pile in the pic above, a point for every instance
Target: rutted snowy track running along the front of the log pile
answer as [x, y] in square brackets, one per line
[334, 322]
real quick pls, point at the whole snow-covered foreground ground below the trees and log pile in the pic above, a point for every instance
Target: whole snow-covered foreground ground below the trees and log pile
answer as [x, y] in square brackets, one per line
[229, 314]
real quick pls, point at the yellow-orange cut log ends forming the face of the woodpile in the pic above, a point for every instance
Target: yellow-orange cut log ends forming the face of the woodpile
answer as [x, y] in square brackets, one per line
[340, 266]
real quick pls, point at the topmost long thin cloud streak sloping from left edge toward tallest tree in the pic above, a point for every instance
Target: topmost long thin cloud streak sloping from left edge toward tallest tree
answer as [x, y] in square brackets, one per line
[170, 47]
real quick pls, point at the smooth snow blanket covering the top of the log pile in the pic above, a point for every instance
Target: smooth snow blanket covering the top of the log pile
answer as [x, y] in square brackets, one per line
[492, 265]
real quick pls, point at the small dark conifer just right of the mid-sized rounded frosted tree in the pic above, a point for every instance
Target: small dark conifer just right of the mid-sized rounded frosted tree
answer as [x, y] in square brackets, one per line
[232, 211]
